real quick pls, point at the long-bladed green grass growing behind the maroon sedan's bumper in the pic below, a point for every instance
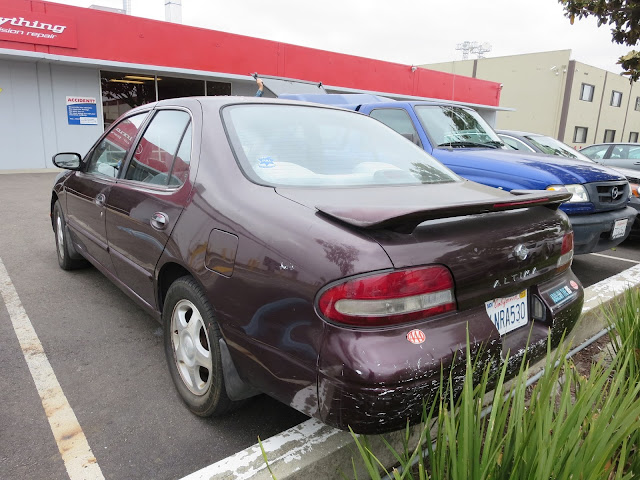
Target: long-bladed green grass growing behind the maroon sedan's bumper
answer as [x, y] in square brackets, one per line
[566, 426]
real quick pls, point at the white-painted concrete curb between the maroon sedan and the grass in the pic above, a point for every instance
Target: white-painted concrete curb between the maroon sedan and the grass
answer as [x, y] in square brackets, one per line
[315, 450]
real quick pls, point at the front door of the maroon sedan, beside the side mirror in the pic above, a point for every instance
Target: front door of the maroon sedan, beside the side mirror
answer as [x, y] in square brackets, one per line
[87, 190]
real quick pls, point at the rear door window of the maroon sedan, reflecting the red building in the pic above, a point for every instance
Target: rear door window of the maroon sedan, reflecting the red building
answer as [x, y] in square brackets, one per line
[153, 159]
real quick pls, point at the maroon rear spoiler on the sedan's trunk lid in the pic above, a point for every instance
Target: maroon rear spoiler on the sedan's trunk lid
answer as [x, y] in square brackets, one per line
[406, 219]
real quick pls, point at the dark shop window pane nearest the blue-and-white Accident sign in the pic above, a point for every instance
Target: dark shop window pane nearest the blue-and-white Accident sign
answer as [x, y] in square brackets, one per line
[123, 91]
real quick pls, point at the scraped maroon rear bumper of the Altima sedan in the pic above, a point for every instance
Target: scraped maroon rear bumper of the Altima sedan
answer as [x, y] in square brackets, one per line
[374, 382]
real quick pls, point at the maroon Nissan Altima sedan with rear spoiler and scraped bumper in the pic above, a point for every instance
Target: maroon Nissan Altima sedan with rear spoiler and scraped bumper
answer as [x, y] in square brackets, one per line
[312, 254]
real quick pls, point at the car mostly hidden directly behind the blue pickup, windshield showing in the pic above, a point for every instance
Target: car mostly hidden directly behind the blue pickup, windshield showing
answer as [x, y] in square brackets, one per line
[535, 142]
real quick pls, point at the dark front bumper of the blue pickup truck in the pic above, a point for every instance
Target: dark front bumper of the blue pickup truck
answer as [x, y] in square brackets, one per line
[592, 233]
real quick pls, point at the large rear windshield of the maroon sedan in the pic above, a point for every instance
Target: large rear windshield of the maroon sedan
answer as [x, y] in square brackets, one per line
[311, 146]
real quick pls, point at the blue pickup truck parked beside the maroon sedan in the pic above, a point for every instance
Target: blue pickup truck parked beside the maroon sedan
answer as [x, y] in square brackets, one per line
[460, 138]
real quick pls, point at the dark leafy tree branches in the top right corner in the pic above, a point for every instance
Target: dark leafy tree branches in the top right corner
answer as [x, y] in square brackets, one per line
[622, 15]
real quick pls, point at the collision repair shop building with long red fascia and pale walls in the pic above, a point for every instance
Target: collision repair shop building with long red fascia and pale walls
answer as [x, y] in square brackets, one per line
[66, 73]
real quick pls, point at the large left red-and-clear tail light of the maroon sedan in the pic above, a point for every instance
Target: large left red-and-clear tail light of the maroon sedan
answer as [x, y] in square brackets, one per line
[390, 298]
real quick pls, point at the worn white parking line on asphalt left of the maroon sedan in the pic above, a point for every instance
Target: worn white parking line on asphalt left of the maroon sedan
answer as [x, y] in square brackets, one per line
[72, 444]
